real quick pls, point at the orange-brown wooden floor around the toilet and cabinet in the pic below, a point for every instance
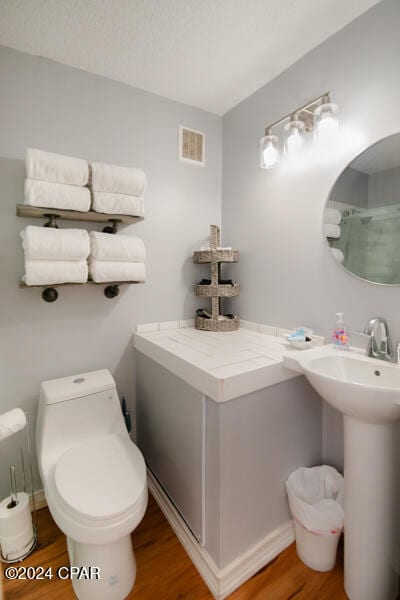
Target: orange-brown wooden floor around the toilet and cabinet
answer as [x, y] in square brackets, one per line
[165, 572]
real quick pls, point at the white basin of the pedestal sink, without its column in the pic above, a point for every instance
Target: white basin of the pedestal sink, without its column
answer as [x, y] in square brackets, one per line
[358, 386]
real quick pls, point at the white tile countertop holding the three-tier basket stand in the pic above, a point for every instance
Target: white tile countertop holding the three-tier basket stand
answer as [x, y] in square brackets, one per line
[224, 365]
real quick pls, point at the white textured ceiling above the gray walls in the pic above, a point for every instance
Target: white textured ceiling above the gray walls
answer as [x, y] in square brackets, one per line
[207, 53]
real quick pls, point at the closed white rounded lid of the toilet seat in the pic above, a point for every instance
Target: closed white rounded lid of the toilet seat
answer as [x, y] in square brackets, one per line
[102, 478]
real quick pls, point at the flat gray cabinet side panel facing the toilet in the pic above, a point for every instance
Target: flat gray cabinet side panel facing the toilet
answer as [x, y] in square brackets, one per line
[170, 417]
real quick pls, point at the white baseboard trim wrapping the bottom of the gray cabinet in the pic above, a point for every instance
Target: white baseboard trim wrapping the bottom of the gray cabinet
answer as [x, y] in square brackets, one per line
[222, 582]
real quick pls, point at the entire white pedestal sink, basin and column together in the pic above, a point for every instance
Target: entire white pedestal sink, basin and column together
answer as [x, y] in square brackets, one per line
[367, 392]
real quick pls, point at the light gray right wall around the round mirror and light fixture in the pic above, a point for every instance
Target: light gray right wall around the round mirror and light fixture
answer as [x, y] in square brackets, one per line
[288, 276]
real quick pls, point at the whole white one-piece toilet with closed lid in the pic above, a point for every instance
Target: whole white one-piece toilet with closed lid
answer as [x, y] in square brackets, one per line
[94, 479]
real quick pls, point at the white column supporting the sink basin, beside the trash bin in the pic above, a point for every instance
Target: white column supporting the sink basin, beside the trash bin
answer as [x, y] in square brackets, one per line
[369, 509]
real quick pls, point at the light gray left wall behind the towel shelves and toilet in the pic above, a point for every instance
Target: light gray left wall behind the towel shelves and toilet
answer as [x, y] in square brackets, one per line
[53, 107]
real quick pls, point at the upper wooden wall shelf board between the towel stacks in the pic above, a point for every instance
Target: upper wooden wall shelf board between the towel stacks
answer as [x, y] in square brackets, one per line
[25, 210]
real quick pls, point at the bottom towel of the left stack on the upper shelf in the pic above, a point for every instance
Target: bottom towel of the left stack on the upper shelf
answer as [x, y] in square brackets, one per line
[56, 195]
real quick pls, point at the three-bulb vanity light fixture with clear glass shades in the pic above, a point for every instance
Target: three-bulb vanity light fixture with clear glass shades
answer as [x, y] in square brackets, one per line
[320, 115]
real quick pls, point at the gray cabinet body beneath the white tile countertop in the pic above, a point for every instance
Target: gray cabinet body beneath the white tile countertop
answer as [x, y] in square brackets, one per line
[224, 463]
